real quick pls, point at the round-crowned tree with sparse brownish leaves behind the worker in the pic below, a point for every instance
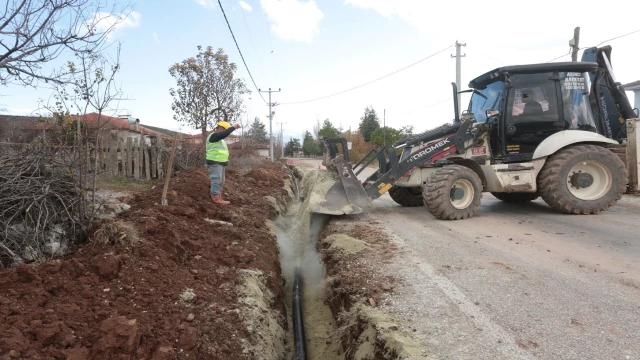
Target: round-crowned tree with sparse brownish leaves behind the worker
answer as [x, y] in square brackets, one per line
[205, 84]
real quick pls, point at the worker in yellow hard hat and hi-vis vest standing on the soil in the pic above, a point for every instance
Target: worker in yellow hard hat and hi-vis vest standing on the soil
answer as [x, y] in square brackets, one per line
[218, 159]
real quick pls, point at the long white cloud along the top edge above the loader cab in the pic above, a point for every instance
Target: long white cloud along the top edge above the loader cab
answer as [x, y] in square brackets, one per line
[476, 21]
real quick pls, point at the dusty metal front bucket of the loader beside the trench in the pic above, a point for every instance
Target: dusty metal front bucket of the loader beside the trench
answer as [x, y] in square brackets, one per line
[346, 196]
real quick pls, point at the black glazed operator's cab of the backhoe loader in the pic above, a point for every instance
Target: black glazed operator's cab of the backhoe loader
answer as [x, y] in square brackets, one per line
[532, 102]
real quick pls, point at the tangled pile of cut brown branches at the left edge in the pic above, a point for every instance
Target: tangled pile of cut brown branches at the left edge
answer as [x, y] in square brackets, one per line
[41, 208]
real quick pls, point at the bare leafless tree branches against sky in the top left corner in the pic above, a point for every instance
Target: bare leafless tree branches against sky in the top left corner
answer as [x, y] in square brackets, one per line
[36, 32]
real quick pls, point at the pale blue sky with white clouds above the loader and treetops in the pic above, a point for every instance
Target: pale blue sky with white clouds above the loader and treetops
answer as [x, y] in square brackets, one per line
[312, 49]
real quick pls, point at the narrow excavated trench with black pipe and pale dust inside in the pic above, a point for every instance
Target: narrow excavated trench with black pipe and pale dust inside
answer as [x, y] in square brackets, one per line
[297, 233]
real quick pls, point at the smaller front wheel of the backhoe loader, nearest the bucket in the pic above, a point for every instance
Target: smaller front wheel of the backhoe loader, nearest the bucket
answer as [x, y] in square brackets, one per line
[453, 193]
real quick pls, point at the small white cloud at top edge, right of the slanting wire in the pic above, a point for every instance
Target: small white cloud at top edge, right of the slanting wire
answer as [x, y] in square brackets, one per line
[293, 20]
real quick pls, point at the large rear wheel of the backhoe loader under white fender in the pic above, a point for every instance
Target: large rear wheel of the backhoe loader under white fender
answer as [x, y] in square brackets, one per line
[582, 179]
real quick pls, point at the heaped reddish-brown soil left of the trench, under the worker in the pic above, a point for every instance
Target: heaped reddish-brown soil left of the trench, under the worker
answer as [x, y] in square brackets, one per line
[124, 301]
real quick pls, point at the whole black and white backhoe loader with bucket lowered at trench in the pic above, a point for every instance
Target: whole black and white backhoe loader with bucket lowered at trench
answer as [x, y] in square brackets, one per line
[554, 130]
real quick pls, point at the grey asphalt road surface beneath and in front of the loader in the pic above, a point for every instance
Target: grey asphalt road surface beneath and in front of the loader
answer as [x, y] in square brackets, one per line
[517, 281]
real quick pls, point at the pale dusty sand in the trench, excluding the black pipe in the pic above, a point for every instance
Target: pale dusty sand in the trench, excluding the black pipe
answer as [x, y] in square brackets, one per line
[298, 232]
